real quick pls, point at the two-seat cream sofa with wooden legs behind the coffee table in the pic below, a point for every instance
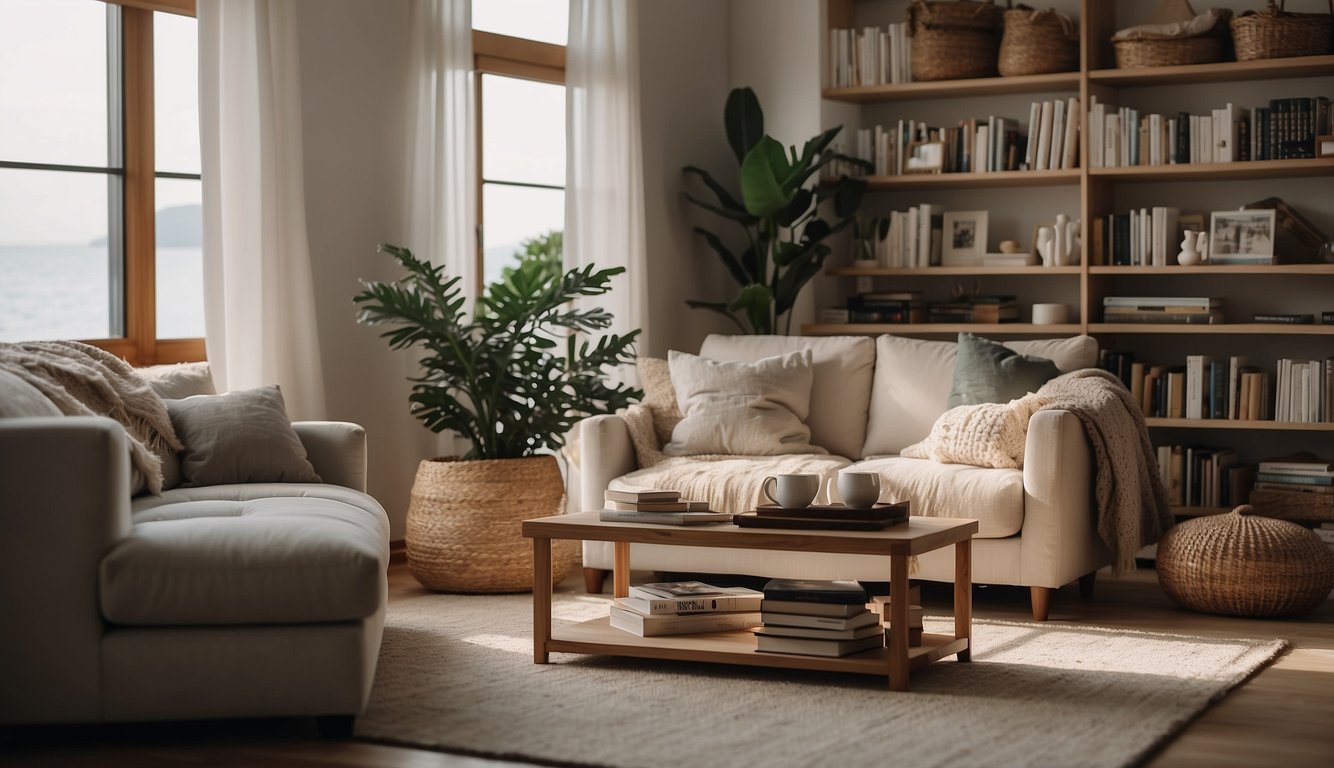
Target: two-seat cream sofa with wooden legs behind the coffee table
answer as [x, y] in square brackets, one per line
[870, 399]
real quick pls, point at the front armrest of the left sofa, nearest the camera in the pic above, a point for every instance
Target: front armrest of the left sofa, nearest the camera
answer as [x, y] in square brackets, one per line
[65, 502]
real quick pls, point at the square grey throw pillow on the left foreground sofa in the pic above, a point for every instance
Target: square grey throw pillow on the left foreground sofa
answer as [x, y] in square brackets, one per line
[239, 438]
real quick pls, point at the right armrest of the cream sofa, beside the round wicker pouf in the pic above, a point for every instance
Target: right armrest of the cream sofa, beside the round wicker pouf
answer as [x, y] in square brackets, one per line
[1060, 514]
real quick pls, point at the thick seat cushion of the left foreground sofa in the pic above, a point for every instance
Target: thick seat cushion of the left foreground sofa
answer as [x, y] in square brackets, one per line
[247, 555]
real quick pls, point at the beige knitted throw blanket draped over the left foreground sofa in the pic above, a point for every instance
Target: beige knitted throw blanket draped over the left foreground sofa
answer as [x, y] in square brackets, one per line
[85, 381]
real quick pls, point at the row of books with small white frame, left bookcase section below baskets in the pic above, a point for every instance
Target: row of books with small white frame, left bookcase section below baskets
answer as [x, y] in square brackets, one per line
[980, 146]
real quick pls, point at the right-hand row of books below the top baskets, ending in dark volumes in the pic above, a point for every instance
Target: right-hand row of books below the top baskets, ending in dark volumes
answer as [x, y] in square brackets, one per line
[1287, 129]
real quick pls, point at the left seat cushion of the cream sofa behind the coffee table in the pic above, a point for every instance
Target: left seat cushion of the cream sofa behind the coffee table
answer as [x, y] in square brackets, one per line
[729, 483]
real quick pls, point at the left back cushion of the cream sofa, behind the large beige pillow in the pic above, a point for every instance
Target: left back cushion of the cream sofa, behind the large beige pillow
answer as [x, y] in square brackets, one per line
[841, 389]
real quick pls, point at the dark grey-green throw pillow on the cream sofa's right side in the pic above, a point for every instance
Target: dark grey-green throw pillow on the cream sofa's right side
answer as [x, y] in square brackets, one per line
[986, 371]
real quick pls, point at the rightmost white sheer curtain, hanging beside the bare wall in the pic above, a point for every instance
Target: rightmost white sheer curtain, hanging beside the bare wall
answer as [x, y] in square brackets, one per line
[605, 205]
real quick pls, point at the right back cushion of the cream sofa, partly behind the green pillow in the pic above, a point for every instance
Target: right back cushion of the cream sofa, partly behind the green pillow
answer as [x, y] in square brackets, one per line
[914, 378]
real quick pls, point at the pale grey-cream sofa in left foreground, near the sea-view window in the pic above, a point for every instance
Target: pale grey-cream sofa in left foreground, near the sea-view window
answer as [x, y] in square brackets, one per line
[257, 599]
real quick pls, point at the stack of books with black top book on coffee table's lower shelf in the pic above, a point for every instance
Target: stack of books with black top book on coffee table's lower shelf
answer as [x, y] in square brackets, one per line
[817, 619]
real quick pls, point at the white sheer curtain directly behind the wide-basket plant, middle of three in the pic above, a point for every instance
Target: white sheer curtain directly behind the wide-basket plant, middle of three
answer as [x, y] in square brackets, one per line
[442, 165]
